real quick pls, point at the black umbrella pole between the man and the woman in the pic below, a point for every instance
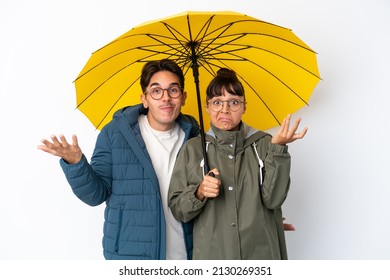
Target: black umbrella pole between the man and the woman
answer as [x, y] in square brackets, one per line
[195, 71]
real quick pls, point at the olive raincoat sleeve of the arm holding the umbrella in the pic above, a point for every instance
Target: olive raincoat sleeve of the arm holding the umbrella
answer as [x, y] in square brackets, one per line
[184, 183]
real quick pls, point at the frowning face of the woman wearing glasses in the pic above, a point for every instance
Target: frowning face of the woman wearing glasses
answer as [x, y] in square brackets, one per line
[226, 118]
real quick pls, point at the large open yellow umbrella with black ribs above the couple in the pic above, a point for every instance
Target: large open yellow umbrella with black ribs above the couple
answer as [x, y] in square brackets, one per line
[278, 70]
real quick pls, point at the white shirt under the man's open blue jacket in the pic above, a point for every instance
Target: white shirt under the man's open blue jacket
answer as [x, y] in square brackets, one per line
[163, 147]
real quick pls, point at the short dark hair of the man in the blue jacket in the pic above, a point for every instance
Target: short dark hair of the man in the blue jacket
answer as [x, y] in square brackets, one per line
[152, 67]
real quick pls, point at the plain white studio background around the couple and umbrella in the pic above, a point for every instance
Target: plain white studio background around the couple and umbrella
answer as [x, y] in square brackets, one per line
[339, 198]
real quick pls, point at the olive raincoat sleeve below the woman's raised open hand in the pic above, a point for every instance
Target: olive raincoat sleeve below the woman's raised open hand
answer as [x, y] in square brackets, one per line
[276, 183]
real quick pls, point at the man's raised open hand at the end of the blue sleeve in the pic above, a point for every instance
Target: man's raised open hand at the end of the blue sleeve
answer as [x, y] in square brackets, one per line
[71, 153]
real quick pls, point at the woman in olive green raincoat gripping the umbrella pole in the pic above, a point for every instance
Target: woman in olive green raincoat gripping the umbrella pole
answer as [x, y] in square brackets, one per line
[236, 212]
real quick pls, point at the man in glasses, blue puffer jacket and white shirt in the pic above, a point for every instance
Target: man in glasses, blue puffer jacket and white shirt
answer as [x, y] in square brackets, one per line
[131, 166]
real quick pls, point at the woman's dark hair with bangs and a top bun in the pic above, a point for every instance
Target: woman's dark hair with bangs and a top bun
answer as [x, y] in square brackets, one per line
[225, 79]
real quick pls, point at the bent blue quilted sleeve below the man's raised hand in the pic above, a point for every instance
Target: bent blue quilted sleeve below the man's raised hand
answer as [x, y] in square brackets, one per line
[90, 182]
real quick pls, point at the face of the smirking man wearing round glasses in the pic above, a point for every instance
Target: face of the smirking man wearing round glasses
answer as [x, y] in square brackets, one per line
[163, 112]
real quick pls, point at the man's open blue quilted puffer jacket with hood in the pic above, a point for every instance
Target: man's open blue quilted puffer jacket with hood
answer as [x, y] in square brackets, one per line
[122, 175]
